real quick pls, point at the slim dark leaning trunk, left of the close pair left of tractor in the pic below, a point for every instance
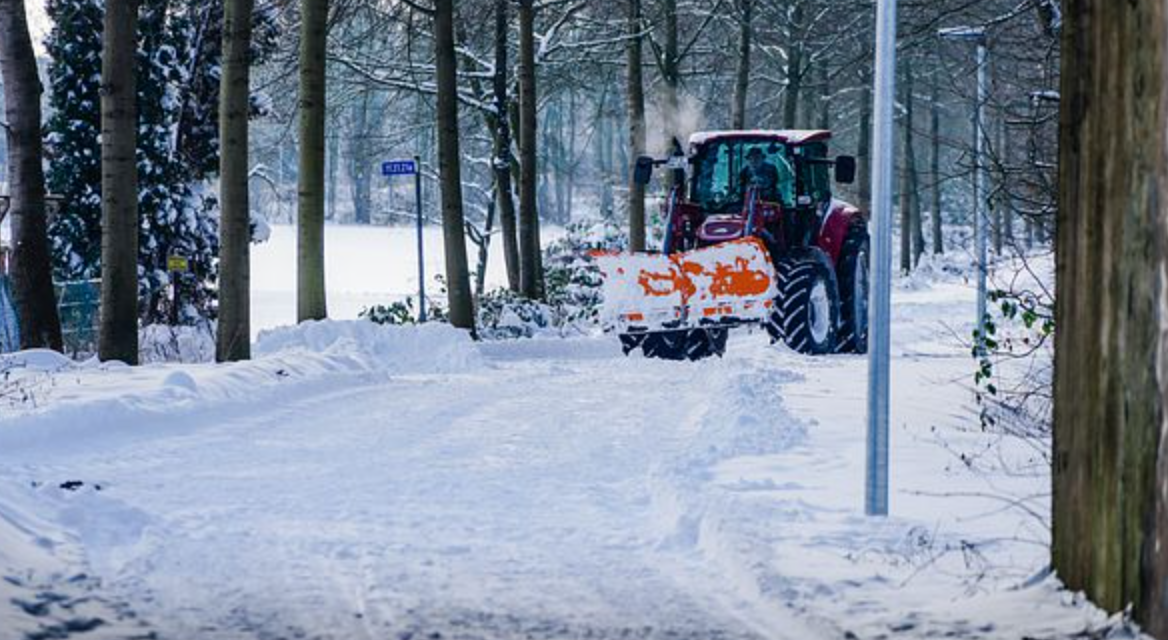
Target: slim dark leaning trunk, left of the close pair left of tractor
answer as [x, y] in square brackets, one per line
[503, 151]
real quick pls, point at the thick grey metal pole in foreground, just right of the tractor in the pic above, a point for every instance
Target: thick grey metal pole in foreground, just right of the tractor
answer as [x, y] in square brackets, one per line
[880, 308]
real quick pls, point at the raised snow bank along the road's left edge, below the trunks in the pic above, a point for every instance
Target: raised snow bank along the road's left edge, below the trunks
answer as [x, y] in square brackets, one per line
[80, 404]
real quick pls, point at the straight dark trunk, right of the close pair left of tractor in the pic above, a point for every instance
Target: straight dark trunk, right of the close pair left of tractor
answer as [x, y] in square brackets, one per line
[531, 261]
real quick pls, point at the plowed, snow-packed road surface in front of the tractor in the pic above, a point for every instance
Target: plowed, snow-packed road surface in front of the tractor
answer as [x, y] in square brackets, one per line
[522, 500]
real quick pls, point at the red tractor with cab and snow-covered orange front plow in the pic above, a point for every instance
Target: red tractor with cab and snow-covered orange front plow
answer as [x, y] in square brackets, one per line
[753, 236]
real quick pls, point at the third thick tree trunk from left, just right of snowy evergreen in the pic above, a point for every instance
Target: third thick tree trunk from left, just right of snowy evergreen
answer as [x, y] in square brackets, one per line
[234, 339]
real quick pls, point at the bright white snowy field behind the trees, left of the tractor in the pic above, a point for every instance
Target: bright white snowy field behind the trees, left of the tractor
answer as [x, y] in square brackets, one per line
[364, 267]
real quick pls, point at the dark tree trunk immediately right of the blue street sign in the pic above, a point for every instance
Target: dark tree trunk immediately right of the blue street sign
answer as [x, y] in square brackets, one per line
[458, 281]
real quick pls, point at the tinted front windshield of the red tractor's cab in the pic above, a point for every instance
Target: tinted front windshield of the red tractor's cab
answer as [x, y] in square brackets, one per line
[725, 171]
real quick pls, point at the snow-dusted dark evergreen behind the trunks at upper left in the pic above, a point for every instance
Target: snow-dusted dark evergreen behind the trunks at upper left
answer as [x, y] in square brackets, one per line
[178, 145]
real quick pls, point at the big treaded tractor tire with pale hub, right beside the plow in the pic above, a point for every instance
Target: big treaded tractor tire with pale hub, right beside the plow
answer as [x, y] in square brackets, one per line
[808, 310]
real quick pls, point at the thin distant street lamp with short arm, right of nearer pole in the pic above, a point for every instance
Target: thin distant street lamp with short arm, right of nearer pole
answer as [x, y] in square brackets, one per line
[978, 36]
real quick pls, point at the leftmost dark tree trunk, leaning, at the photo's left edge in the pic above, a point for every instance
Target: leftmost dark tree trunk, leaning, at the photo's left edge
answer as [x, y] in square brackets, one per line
[37, 308]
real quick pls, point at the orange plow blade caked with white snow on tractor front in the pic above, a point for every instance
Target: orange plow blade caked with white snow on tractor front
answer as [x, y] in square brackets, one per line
[725, 284]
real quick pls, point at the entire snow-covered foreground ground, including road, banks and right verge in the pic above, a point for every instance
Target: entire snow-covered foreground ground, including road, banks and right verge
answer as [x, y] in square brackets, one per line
[364, 482]
